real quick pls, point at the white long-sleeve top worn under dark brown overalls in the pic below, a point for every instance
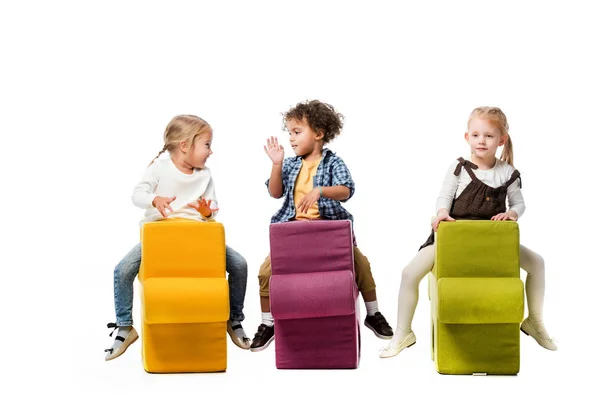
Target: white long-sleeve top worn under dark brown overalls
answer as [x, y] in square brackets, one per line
[497, 176]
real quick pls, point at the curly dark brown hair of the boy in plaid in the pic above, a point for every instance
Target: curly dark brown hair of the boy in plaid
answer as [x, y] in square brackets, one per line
[319, 116]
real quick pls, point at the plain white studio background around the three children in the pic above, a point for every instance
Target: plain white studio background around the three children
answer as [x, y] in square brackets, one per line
[86, 91]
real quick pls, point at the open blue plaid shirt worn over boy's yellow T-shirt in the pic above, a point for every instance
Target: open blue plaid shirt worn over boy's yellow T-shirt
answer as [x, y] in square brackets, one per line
[331, 172]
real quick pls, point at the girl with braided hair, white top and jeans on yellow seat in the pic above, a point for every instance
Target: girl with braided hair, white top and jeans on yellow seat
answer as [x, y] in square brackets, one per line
[179, 186]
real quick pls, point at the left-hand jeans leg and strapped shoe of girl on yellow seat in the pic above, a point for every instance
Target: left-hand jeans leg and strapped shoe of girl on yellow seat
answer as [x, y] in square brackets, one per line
[125, 273]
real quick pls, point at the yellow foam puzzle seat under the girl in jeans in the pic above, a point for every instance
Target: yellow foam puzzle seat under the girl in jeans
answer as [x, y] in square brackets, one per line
[184, 295]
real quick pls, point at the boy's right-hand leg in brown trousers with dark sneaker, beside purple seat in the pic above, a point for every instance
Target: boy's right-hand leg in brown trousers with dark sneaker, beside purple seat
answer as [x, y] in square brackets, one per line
[375, 321]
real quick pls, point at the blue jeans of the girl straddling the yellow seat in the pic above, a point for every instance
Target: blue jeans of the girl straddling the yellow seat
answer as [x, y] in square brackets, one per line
[128, 268]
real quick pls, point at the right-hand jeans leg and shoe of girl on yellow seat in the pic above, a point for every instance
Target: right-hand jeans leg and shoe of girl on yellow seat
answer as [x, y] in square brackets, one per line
[237, 270]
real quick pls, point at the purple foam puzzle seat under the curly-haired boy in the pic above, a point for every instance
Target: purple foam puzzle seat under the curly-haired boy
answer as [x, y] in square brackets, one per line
[314, 295]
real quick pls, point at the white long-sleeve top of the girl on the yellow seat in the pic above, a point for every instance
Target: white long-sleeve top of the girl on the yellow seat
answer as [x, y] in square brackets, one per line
[162, 178]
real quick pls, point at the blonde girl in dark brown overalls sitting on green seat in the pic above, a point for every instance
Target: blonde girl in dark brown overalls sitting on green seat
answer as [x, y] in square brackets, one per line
[476, 189]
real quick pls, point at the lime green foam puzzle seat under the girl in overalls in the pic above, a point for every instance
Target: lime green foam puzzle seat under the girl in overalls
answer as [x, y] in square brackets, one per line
[477, 299]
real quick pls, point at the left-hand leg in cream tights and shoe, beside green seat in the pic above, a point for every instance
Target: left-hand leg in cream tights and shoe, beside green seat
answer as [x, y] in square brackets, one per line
[408, 297]
